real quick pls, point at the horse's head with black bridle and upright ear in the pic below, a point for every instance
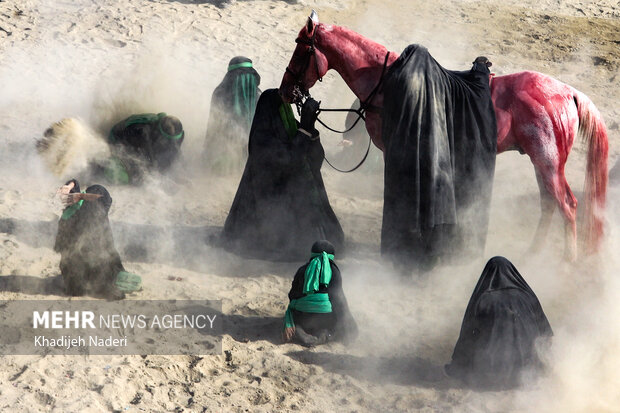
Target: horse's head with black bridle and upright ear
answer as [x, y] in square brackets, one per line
[307, 65]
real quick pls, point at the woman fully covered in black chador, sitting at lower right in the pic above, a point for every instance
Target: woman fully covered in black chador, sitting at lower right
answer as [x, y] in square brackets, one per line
[502, 323]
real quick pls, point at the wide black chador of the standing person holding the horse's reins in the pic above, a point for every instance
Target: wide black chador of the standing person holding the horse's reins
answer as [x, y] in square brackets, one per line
[281, 206]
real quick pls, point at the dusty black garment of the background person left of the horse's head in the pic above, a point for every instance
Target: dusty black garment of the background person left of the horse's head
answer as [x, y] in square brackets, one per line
[227, 132]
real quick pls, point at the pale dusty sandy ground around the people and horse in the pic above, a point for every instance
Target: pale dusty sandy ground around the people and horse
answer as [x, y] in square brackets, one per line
[99, 60]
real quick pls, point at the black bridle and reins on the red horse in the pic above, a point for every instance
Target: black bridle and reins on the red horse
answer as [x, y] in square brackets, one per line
[299, 94]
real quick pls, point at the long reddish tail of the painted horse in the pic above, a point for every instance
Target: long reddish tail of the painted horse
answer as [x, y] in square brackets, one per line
[593, 131]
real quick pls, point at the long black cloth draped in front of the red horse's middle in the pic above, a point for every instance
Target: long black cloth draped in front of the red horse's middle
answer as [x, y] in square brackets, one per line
[440, 138]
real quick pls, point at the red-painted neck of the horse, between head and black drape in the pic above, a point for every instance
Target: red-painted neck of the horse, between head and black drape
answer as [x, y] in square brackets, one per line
[358, 60]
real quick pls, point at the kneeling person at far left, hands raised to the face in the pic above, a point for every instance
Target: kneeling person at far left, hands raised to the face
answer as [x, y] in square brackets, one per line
[89, 262]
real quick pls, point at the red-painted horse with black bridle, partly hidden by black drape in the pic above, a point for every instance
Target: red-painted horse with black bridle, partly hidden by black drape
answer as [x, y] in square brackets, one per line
[536, 115]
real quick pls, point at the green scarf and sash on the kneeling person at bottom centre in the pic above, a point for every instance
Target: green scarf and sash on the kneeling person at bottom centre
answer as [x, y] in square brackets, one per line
[318, 271]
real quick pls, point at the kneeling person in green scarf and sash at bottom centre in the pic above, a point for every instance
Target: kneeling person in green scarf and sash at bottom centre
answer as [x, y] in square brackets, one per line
[318, 311]
